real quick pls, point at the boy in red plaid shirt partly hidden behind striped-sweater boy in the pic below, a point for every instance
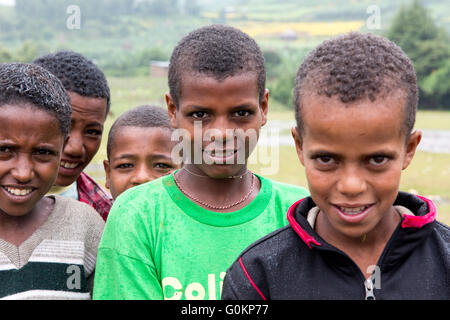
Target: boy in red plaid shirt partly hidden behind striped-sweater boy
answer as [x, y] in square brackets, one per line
[89, 95]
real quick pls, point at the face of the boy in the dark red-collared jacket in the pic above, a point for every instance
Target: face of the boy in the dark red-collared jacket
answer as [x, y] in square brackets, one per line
[353, 156]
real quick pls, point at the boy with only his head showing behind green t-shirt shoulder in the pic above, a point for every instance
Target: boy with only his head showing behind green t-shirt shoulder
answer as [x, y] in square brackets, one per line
[139, 149]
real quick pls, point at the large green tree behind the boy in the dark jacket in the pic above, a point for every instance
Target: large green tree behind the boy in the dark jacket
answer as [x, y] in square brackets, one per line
[427, 45]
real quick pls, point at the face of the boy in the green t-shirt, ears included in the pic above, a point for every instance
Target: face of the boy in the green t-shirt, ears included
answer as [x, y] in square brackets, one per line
[215, 110]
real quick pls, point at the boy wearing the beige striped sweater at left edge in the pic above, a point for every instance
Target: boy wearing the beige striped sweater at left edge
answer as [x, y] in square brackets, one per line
[48, 244]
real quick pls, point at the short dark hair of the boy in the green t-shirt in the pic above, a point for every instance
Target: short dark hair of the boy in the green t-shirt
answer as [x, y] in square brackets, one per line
[217, 51]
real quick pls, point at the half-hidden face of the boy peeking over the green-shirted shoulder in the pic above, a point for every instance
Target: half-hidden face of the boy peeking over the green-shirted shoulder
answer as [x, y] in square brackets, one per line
[138, 155]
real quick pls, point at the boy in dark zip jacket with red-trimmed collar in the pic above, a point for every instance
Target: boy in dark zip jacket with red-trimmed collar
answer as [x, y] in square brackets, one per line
[356, 236]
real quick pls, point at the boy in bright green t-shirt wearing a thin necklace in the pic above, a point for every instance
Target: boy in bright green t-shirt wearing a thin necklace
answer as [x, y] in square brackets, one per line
[174, 237]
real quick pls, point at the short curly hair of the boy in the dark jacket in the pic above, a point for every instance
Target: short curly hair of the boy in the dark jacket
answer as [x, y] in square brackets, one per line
[357, 66]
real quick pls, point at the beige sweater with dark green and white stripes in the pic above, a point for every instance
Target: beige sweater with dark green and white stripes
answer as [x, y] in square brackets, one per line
[57, 261]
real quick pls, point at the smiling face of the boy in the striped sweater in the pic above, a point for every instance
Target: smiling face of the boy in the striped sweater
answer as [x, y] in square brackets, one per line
[31, 143]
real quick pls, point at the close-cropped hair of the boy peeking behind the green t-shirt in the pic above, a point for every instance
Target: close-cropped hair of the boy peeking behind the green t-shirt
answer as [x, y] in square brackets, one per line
[145, 116]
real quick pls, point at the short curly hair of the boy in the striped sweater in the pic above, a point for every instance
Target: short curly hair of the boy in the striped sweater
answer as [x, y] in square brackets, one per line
[24, 84]
